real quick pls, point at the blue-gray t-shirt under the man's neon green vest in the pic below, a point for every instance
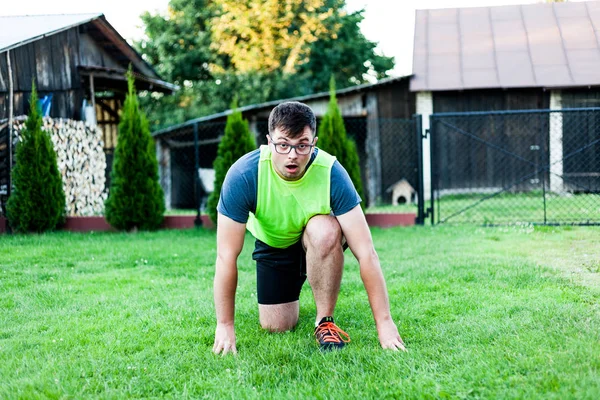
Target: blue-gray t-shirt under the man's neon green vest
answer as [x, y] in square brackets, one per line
[240, 188]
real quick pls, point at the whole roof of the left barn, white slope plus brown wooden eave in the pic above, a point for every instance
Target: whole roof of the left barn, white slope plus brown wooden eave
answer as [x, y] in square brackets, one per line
[17, 31]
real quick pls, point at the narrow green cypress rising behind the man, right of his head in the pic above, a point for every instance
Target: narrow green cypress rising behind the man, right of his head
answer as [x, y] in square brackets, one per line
[333, 139]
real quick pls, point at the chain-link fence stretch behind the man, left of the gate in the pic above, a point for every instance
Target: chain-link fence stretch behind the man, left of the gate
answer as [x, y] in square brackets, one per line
[186, 157]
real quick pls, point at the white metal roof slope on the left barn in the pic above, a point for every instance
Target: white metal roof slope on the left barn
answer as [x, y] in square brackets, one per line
[16, 31]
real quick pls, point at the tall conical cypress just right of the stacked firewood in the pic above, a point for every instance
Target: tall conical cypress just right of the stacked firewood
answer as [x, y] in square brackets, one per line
[135, 199]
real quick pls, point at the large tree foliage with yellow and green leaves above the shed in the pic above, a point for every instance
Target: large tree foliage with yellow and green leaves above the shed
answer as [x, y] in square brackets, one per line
[257, 50]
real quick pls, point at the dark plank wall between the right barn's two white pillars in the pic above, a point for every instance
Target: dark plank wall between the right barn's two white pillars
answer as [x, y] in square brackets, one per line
[468, 164]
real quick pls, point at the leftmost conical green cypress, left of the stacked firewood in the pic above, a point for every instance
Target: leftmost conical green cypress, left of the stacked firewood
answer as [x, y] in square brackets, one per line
[37, 203]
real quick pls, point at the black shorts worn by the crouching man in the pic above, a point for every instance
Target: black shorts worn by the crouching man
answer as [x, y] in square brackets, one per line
[280, 273]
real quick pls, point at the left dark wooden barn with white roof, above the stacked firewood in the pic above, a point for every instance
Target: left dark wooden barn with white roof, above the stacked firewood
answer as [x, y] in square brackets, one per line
[73, 59]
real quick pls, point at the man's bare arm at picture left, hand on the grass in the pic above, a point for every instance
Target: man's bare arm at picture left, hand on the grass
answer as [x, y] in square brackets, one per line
[230, 241]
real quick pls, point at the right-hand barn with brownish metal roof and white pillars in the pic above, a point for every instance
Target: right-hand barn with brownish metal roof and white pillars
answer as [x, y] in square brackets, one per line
[518, 57]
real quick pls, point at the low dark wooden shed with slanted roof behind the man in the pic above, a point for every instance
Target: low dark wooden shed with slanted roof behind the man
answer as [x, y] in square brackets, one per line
[378, 116]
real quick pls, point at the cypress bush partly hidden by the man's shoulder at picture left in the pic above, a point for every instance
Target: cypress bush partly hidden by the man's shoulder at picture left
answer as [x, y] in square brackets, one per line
[236, 142]
